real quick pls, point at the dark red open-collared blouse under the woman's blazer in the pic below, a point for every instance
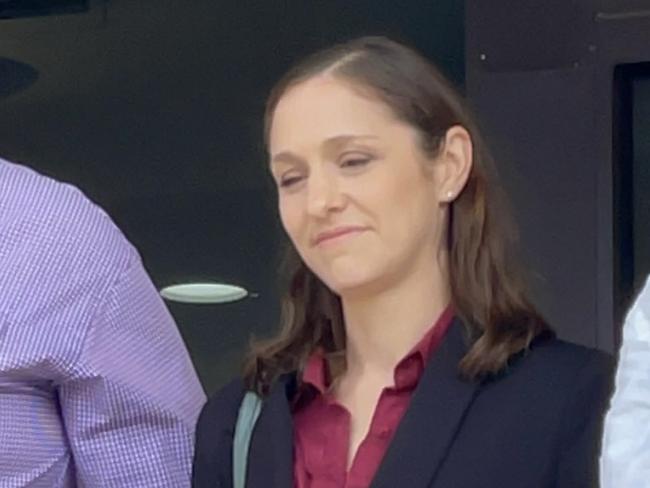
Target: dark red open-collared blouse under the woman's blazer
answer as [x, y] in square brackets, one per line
[322, 425]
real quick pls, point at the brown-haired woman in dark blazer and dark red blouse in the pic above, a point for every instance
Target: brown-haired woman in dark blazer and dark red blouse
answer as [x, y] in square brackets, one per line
[409, 354]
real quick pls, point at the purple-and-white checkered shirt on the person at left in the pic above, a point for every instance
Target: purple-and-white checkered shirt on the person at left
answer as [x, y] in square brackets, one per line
[96, 386]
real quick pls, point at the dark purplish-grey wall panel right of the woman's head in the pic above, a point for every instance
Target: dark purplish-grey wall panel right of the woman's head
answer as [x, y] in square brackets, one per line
[541, 77]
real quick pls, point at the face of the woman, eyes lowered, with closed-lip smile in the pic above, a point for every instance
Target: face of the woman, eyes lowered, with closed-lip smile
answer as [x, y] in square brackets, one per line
[359, 199]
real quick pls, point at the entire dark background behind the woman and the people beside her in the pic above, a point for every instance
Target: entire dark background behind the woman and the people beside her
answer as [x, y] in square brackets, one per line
[154, 108]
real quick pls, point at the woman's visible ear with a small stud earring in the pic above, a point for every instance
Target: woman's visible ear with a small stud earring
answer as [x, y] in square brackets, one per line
[455, 163]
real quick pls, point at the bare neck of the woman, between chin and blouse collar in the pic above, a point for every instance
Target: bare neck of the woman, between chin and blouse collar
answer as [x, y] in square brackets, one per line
[382, 327]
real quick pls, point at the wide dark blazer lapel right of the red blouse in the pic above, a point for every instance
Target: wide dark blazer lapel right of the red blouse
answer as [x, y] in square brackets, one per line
[435, 414]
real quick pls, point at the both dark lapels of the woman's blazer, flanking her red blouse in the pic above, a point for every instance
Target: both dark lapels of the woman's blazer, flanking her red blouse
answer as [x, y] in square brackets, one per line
[419, 446]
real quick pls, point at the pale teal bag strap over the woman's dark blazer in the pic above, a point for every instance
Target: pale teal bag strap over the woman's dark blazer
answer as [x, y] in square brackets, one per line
[249, 411]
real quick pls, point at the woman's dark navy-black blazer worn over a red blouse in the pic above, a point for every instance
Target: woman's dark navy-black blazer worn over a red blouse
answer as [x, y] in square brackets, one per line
[538, 425]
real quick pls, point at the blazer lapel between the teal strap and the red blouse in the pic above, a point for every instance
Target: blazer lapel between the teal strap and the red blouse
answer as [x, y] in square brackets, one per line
[270, 459]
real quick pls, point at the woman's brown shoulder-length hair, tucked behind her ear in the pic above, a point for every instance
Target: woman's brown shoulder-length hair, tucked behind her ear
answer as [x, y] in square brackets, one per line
[486, 283]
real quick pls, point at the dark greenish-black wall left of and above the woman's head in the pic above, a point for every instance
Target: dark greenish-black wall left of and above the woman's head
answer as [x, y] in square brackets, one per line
[154, 108]
